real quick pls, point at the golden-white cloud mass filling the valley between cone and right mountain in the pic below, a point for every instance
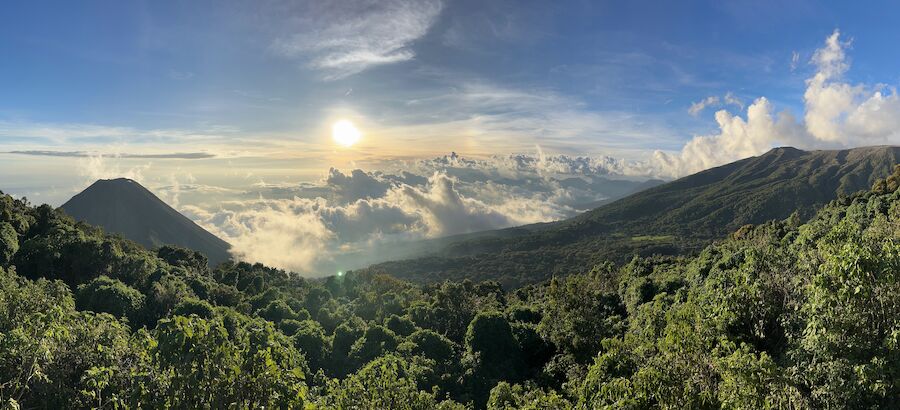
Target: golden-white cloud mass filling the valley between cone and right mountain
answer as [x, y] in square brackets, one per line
[358, 212]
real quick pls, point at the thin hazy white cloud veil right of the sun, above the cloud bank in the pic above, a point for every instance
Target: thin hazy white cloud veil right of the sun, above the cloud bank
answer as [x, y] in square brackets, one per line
[486, 118]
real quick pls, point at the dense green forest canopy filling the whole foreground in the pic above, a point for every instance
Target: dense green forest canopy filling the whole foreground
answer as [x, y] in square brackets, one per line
[778, 315]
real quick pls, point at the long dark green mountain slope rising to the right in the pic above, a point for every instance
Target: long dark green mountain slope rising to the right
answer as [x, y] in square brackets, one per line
[678, 217]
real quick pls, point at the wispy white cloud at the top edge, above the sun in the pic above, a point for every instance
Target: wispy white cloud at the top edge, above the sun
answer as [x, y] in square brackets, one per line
[346, 37]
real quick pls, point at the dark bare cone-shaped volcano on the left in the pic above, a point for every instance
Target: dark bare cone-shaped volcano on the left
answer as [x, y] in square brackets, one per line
[125, 207]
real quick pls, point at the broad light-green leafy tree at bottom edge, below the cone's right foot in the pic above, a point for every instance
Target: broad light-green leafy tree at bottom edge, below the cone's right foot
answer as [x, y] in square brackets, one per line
[205, 365]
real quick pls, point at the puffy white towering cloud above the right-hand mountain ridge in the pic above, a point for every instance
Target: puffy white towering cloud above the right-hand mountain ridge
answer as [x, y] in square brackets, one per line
[837, 114]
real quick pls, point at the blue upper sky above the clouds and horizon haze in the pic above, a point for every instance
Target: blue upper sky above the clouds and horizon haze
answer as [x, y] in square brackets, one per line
[216, 67]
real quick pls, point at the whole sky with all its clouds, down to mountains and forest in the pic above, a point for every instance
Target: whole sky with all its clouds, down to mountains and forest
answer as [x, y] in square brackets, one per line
[471, 114]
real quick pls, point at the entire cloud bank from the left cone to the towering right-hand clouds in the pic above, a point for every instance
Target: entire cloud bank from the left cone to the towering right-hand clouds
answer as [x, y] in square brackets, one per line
[347, 218]
